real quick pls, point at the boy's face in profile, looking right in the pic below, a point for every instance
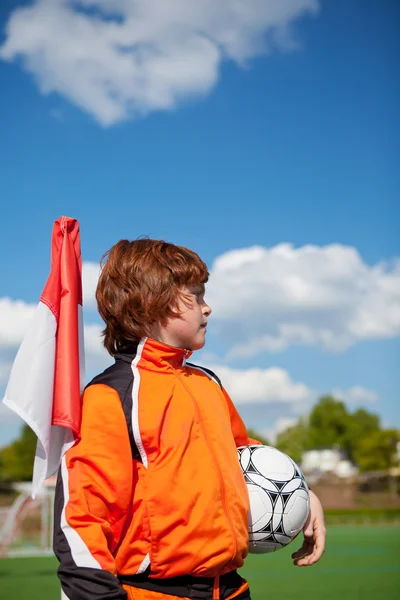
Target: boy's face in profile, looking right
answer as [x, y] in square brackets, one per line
[188, 330]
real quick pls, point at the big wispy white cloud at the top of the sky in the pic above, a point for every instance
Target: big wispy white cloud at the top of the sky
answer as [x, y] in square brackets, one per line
[121, 58]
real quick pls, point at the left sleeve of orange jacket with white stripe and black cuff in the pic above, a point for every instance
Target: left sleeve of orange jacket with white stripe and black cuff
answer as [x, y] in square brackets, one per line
[93, 500]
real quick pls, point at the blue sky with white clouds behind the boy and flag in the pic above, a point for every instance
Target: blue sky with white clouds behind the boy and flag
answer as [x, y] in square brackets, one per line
[290, 139]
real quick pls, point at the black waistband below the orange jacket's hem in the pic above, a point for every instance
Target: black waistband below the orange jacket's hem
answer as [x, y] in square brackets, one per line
[186, 586]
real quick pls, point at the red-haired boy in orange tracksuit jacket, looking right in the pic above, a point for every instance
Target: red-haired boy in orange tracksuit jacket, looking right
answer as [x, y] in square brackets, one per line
[151, 503]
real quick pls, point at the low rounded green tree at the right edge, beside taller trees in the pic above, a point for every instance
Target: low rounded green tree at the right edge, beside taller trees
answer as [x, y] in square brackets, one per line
[378, 450]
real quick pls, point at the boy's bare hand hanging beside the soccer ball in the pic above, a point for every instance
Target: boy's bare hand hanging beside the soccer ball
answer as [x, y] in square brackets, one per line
[314, 535]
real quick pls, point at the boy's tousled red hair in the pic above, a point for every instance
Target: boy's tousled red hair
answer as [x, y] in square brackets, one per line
[139, 286]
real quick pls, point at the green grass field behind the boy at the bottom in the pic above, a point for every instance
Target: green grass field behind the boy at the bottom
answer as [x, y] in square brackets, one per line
[359, 563]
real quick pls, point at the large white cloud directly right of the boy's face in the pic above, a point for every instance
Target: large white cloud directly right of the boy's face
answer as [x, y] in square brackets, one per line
[267, 299]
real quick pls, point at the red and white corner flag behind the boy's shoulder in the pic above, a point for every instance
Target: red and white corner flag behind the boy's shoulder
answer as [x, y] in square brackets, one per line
[48, 372]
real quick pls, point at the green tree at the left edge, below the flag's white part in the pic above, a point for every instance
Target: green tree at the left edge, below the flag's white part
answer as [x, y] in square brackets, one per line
[16, 460]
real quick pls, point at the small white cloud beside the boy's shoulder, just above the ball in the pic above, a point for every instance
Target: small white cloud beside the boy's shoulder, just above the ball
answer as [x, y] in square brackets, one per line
[265, 386]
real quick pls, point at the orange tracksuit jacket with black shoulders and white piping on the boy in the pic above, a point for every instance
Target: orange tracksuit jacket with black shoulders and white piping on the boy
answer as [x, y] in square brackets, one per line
[154, 484]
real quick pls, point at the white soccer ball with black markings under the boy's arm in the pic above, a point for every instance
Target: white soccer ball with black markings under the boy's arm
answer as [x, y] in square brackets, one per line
[279, 497]
